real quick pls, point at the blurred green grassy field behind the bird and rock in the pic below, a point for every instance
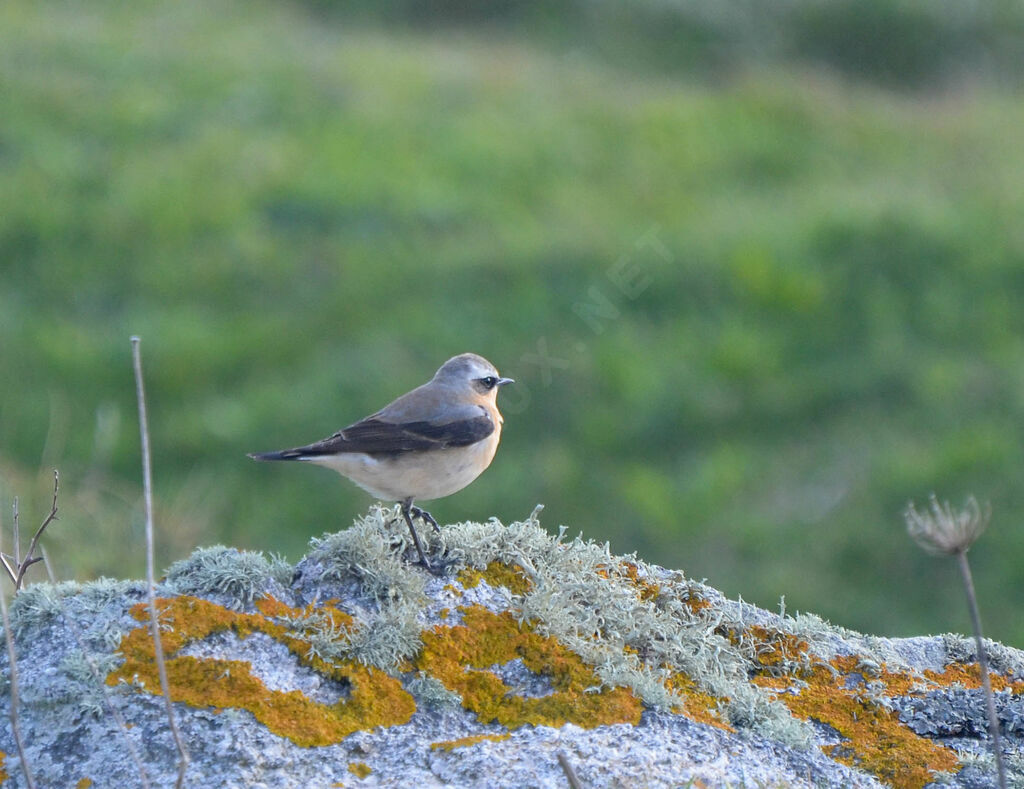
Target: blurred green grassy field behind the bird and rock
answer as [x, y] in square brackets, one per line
[758, 269]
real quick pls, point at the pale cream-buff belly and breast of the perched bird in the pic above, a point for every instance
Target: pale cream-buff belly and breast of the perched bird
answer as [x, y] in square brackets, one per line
[426, 475]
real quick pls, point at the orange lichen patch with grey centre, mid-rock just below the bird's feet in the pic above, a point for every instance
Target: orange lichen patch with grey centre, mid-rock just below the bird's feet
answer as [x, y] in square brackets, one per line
[486, 639]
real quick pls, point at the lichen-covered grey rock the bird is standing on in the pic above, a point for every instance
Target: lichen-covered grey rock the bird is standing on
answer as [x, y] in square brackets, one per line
[358, 669]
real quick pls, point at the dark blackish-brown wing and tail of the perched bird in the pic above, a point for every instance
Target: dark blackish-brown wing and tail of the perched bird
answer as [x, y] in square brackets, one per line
[376, 436]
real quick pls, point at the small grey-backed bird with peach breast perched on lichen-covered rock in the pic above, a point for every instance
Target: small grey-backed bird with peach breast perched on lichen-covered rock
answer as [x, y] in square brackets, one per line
[428, 445]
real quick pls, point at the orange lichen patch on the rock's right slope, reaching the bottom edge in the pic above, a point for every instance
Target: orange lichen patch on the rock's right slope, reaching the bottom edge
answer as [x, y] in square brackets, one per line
[876, 739]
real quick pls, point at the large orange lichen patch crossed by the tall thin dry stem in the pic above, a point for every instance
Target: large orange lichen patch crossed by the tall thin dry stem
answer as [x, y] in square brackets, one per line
[375, 698]
